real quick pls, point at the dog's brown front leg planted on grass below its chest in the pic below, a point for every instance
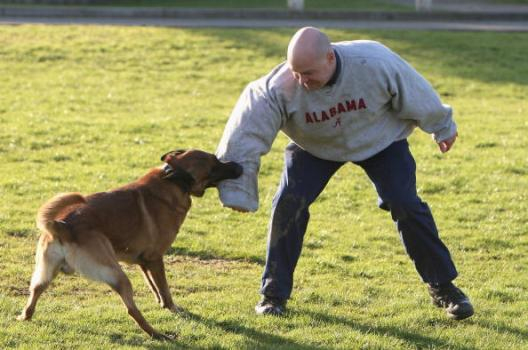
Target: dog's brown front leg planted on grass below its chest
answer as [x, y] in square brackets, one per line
[154, 270]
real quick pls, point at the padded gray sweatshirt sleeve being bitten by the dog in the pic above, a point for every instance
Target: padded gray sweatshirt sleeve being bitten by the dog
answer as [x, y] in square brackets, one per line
[249, 133]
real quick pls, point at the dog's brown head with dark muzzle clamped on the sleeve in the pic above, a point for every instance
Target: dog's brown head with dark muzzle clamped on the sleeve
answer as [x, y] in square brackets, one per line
[198, 170]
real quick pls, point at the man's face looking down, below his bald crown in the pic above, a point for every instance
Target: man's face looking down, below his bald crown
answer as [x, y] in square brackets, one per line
[312, 75]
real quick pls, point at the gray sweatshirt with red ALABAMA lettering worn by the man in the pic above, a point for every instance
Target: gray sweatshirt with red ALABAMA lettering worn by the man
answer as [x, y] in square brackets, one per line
[377, 99]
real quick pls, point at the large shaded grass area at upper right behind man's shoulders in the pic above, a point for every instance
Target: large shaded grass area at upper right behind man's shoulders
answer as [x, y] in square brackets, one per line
[461, 54]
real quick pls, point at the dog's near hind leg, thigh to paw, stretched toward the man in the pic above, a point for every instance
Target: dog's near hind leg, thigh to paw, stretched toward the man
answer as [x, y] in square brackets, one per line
[95, 258]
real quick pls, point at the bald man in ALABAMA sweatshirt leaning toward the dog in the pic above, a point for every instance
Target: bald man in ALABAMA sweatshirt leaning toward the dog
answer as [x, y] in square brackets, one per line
[344, 102]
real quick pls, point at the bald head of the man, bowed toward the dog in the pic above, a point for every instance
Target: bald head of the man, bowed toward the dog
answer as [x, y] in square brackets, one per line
[311, 58]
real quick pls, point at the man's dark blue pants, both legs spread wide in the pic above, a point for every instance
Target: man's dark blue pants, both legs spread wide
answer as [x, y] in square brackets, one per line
[392, 171]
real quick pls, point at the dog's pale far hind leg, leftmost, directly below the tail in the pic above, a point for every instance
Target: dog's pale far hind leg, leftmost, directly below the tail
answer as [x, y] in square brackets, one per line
[48, 260]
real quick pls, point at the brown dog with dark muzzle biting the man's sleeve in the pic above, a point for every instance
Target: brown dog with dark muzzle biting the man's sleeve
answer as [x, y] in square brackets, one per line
[135, 224]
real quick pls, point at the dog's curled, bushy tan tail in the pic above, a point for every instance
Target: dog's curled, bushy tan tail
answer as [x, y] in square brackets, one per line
[47, 214]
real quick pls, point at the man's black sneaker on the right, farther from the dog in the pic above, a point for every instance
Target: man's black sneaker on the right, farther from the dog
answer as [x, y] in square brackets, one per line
[449, 297]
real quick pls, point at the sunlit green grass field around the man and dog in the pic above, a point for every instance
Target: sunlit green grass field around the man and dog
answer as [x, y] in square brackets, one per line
[87, 108]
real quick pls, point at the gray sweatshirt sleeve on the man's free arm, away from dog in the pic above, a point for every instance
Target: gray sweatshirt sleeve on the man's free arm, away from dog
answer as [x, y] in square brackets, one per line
[414, 98]
